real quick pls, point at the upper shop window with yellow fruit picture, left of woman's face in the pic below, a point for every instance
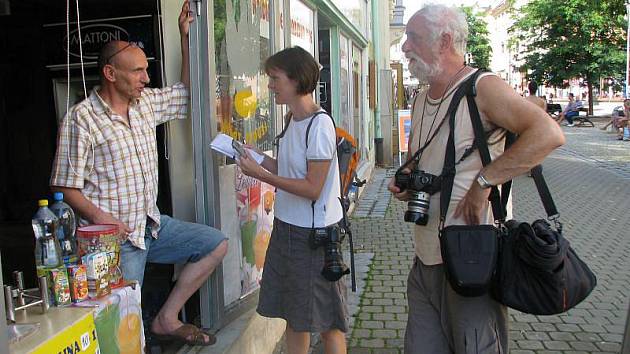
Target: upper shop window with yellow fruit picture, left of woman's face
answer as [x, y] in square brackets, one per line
[241, 29]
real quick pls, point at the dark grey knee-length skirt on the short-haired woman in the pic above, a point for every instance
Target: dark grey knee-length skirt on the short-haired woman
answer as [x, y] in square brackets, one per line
[292, 287]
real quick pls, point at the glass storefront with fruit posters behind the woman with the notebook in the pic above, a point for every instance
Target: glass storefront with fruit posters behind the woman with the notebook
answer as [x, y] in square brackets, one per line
[233, 98]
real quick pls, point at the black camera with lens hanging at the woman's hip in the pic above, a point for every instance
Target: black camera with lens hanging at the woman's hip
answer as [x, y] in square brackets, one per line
[331, 238]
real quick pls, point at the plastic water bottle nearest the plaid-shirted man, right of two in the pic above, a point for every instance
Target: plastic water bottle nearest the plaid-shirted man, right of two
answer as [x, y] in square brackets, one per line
[66, 230]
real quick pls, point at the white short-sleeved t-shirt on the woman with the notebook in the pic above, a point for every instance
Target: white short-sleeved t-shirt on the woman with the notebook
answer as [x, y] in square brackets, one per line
[292, 156]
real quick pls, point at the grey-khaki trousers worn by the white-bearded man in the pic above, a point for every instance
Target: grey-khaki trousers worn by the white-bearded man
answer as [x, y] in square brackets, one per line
[442, 321]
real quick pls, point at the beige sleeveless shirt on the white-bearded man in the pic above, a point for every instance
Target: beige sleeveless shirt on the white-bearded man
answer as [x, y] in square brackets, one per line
[426, 241]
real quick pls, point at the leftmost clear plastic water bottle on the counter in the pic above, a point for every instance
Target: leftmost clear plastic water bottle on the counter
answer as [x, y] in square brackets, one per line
[47, 250]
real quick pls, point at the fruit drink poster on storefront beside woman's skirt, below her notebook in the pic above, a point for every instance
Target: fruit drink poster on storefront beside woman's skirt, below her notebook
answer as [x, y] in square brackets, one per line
[254, 206]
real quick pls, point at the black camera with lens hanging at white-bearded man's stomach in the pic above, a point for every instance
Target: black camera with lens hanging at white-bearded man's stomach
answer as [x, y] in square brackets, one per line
[420, 185]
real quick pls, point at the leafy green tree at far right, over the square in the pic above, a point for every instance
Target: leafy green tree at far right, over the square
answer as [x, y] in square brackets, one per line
[566, 39]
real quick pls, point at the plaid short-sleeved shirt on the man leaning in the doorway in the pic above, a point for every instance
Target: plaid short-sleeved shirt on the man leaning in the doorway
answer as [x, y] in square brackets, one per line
[115, 163]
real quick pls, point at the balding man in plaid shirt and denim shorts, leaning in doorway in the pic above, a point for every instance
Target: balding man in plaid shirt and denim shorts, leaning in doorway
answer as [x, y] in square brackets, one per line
[106, 166]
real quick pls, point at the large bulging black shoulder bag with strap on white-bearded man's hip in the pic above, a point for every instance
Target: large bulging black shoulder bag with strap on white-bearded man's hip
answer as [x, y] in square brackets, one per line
[537, 270]
